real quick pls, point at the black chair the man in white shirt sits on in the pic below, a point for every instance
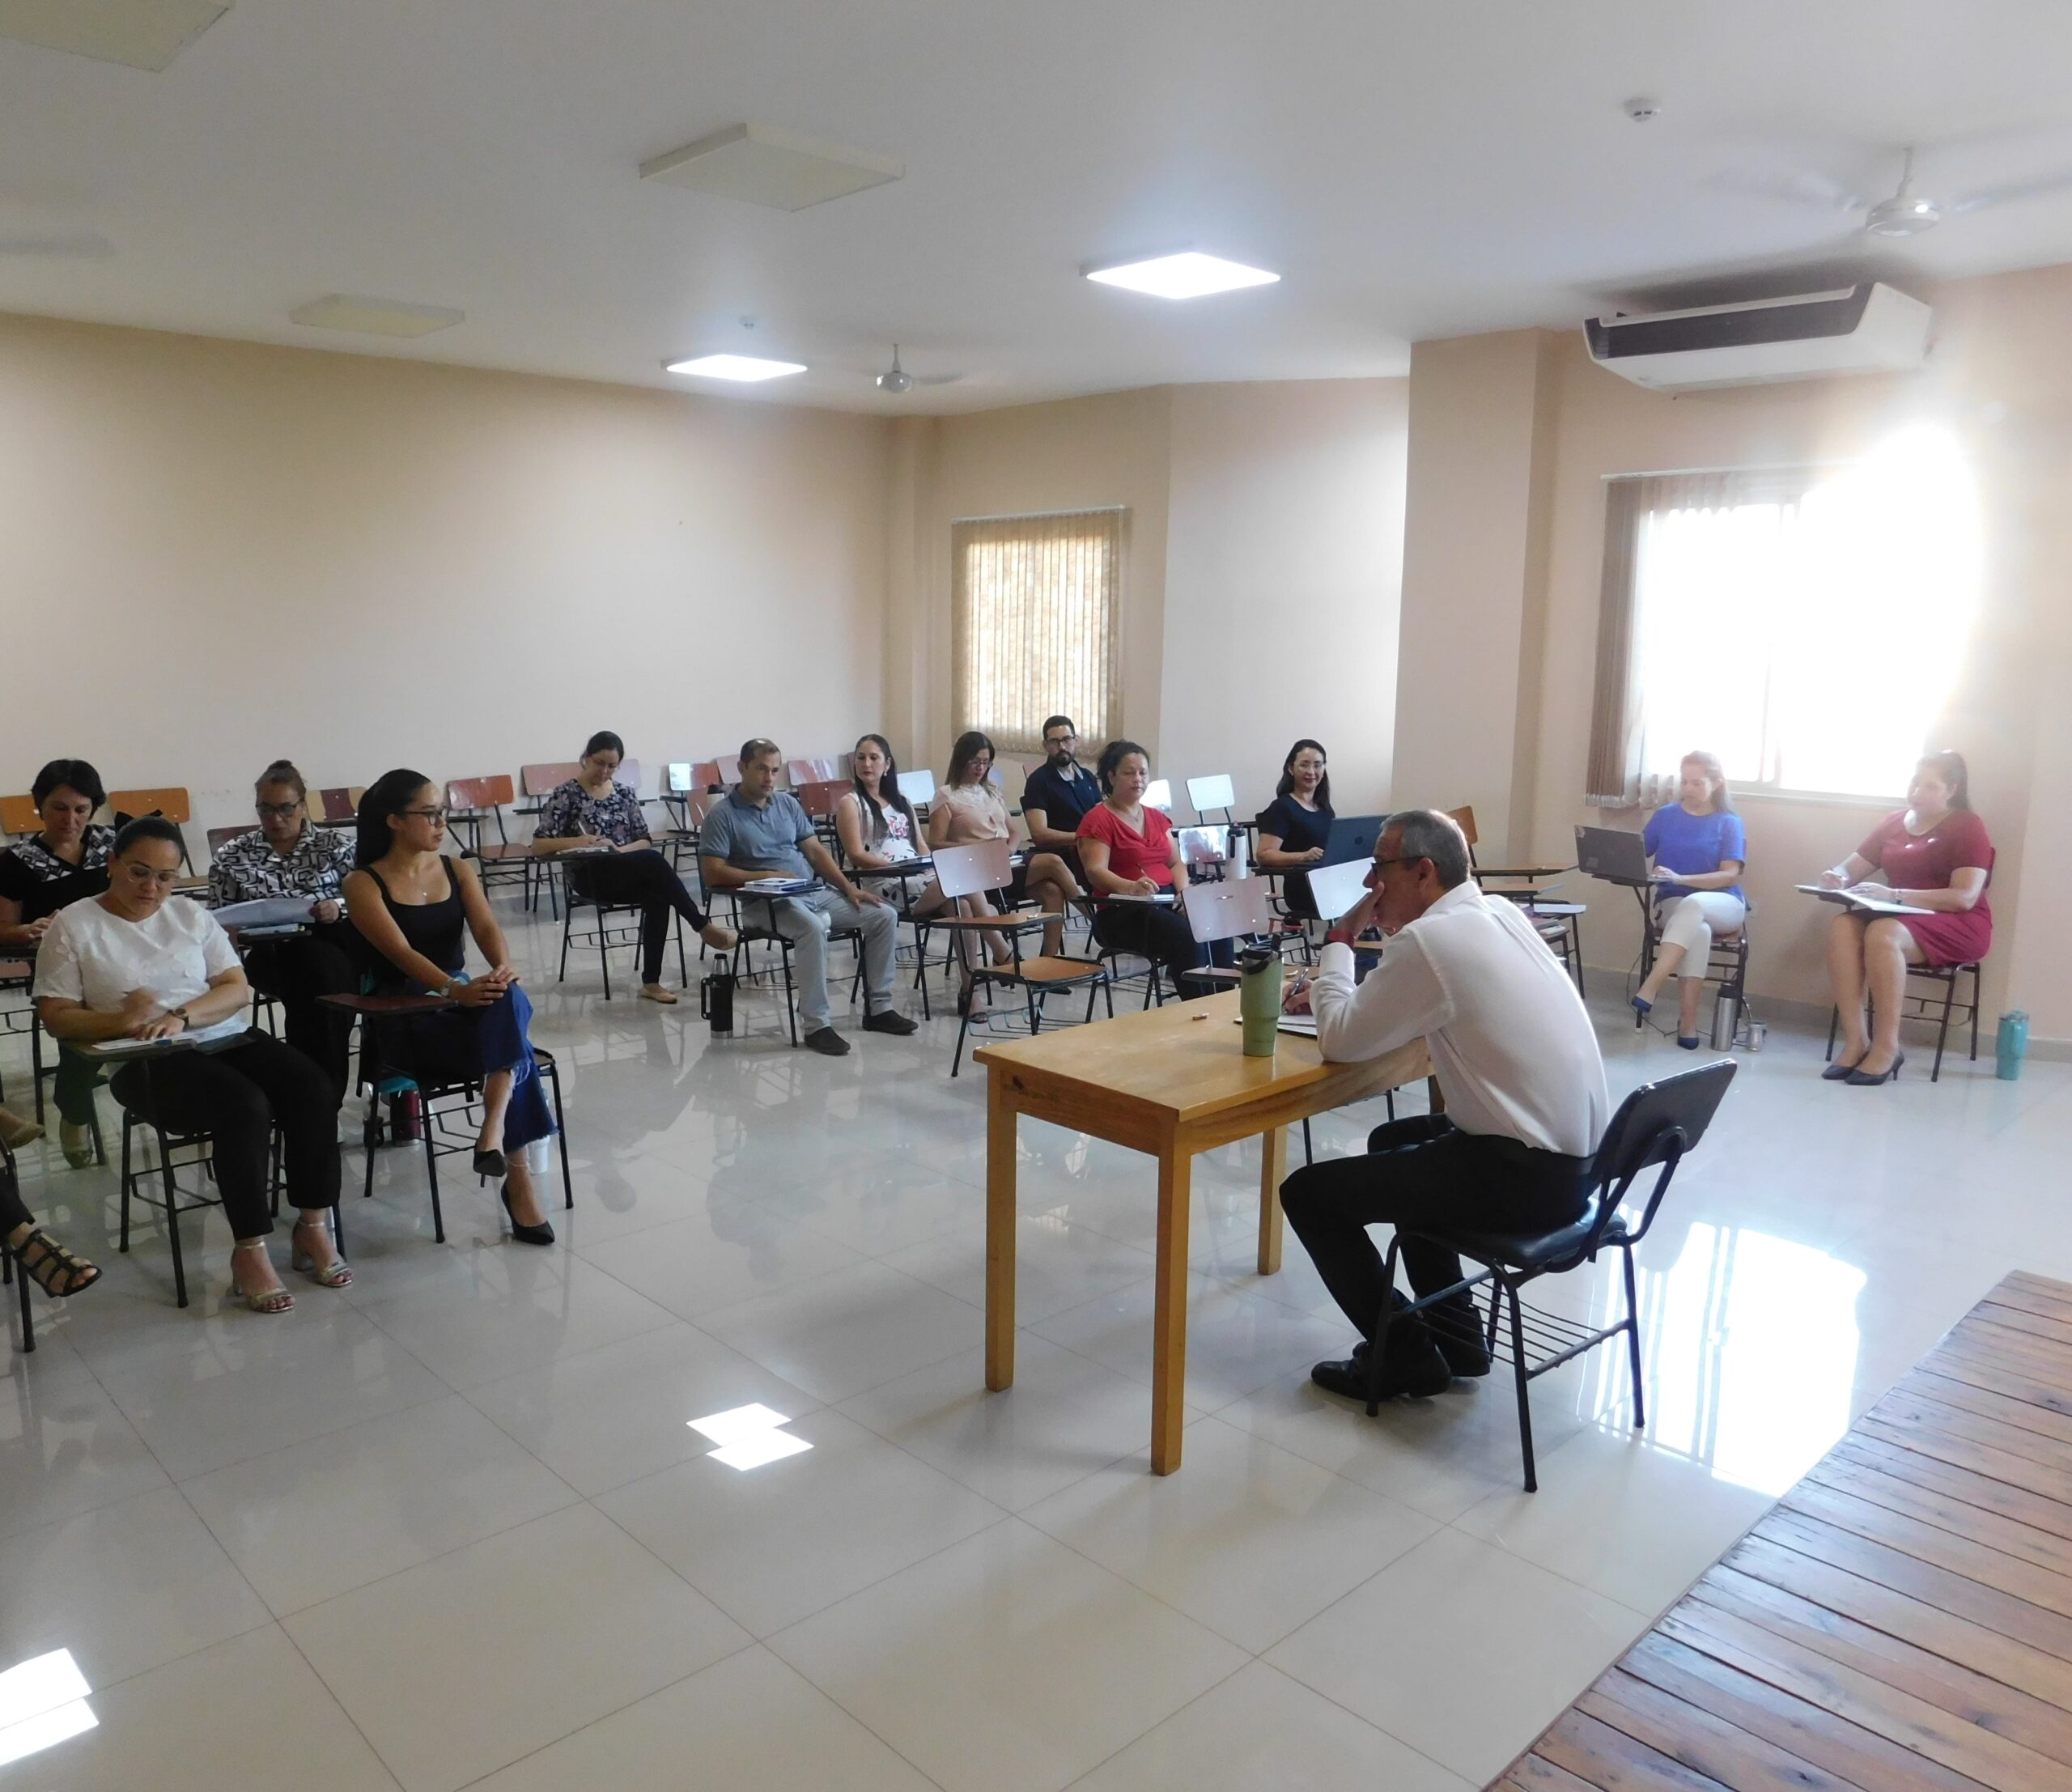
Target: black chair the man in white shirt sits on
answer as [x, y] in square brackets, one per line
[1657, 1126]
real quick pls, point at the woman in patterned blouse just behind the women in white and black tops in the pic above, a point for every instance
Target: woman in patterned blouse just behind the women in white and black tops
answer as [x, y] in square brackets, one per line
[289, 857]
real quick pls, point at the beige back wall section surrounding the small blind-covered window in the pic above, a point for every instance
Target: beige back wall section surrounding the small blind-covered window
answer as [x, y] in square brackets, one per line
[1261, 581]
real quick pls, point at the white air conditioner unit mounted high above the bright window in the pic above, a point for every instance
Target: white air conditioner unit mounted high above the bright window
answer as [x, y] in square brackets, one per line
[1868, 328]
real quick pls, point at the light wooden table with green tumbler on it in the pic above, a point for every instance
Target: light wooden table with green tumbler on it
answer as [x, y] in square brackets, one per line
[1168, 1082]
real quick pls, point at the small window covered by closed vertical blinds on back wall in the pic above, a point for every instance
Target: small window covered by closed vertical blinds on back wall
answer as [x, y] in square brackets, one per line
[1035, 618]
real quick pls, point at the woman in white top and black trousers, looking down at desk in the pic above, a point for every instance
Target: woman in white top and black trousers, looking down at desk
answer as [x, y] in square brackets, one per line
[144, 964]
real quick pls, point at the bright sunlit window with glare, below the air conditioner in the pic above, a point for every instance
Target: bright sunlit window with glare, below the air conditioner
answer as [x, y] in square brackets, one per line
[1806, 625]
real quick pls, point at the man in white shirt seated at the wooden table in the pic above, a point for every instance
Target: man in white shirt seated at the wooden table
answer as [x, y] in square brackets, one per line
[1518, 1066]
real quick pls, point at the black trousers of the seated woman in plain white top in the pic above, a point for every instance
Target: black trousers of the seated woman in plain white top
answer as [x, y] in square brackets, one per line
[237, 1097]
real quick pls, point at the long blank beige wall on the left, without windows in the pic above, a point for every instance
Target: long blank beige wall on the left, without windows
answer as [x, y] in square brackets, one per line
[219, 554]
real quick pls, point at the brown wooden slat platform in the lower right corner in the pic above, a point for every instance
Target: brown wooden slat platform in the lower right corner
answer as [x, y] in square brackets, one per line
[1899, 1623]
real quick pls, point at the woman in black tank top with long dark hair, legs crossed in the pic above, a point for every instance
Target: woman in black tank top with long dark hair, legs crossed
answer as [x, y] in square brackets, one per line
[415, 908]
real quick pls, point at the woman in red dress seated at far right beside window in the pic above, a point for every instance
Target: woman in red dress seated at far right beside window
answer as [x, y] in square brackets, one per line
[1934, 855]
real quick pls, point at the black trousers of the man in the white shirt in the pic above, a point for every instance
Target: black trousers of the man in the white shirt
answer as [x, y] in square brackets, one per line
[1424, 1172]
